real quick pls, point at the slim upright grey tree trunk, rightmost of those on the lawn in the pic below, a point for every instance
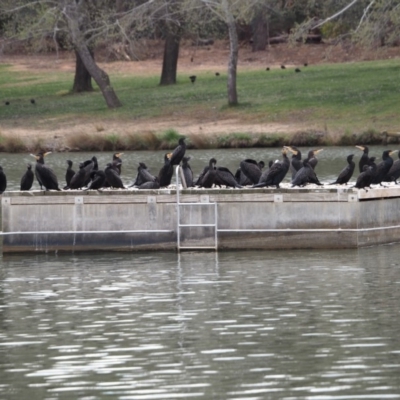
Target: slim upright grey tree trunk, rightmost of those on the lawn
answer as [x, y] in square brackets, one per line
[233, 54]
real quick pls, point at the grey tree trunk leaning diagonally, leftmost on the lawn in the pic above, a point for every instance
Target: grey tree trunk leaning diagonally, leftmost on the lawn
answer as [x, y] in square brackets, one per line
[101, 78]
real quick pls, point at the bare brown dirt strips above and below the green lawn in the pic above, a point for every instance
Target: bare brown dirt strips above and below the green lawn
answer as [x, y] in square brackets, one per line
[191, 60]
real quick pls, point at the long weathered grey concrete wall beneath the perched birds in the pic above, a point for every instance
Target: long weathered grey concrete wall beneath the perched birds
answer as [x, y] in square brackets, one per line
[245, 219]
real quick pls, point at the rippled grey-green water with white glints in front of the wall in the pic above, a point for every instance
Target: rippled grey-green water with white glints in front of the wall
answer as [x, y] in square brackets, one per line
[234, 325]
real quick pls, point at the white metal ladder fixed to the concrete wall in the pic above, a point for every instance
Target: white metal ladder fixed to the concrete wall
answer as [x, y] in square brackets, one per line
[204, 203]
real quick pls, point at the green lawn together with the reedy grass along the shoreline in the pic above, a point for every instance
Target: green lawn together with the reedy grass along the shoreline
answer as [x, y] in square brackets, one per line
[336, 103]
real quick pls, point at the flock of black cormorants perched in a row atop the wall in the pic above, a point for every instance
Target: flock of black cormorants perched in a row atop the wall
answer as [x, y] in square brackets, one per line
[250, 172]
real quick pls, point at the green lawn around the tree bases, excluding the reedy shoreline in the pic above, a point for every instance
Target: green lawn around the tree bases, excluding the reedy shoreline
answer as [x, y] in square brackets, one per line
[341, 98]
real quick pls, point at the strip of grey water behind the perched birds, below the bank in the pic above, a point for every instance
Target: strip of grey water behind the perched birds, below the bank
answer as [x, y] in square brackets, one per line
[332, 161]
